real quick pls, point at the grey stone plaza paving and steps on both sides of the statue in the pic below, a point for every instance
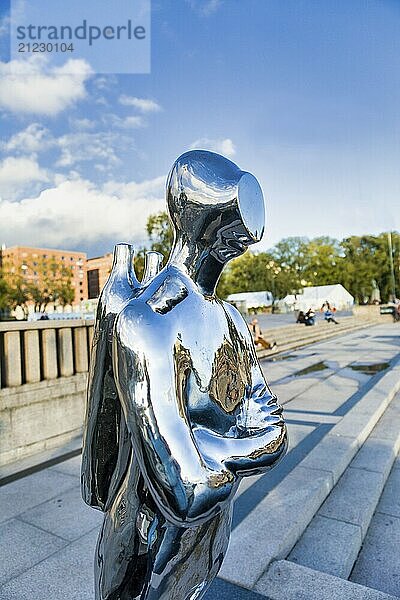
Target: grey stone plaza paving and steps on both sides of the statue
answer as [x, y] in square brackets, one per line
[324, 524]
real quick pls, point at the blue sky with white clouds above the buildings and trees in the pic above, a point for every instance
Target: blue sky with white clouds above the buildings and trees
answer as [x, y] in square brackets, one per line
[304, 94]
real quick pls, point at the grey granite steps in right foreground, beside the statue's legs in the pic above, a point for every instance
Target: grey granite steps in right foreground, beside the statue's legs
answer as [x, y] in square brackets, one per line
[305, 536]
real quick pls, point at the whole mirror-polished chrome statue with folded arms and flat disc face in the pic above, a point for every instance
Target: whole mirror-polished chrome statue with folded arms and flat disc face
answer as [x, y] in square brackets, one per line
[197, 413]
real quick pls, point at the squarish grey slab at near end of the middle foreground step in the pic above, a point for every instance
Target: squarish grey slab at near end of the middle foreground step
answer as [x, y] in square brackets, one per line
[328, 545]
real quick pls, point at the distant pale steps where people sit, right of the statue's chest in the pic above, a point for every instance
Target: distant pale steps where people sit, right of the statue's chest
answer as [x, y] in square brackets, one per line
[297, 335]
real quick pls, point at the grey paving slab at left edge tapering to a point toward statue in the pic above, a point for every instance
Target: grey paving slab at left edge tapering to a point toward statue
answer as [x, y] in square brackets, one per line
[26, 546]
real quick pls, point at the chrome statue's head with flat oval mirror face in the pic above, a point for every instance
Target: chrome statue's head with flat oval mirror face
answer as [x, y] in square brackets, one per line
[216, 205]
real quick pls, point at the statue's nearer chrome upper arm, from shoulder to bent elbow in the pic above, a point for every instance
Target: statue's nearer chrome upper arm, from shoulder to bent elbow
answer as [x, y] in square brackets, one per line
[187, 488]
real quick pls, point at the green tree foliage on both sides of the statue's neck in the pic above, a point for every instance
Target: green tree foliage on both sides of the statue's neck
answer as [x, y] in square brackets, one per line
[358, 263]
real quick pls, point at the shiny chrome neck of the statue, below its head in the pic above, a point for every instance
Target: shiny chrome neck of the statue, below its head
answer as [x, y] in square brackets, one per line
[197, 262]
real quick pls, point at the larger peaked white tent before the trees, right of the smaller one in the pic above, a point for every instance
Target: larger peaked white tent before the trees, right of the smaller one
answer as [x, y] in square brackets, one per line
[314, 297]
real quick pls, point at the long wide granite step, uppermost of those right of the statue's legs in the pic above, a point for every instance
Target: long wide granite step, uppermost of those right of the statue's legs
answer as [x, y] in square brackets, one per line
[272, 529]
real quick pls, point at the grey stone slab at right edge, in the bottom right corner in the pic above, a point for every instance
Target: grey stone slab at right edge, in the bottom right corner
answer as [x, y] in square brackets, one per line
[378, 563]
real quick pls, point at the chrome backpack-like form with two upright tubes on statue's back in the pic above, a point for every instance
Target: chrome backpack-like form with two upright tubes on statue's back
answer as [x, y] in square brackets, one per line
[106, 447]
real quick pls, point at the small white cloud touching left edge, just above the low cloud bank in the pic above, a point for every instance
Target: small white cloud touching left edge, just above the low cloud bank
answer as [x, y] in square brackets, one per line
[16, 174]
